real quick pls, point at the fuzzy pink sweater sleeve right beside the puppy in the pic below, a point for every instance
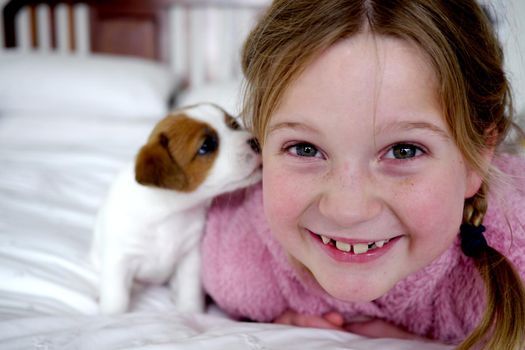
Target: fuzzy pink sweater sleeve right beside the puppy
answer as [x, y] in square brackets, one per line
[238, 270]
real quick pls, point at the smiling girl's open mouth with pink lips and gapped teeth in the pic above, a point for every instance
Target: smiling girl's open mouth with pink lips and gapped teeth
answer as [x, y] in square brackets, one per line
[350, 256]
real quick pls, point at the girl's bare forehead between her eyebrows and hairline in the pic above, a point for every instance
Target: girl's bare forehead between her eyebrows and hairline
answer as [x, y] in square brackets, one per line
[363, 77]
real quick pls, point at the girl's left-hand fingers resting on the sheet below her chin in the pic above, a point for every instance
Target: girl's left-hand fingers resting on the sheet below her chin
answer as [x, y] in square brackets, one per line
[330, 320]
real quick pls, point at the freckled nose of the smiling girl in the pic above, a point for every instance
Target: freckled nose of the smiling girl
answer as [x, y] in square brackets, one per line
[349, 198]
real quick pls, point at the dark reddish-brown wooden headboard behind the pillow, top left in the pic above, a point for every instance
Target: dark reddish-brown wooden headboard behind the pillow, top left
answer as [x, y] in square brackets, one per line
[132, 27]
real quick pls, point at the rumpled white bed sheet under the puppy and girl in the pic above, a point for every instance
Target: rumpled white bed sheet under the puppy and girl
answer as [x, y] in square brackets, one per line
[54, 173]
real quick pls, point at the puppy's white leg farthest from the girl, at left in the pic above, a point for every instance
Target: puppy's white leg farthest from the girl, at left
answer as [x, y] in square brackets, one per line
[115, 284]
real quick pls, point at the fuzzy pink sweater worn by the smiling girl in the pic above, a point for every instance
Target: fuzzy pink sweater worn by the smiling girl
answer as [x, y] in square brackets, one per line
[247, 274]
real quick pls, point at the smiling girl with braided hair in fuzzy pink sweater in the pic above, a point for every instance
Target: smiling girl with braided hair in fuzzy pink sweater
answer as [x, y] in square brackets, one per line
[378, 122]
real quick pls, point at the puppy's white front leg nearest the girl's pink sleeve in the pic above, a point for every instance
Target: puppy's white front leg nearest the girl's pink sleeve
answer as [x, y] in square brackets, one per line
[186, 286]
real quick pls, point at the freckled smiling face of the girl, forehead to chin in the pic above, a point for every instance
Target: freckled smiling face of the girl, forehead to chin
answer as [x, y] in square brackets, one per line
[363, 183]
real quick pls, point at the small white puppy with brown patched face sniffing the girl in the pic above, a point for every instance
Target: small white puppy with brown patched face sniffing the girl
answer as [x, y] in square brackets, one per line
[151, 224]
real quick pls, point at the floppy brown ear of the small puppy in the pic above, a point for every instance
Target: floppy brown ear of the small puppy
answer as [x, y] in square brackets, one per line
[155, 166]
